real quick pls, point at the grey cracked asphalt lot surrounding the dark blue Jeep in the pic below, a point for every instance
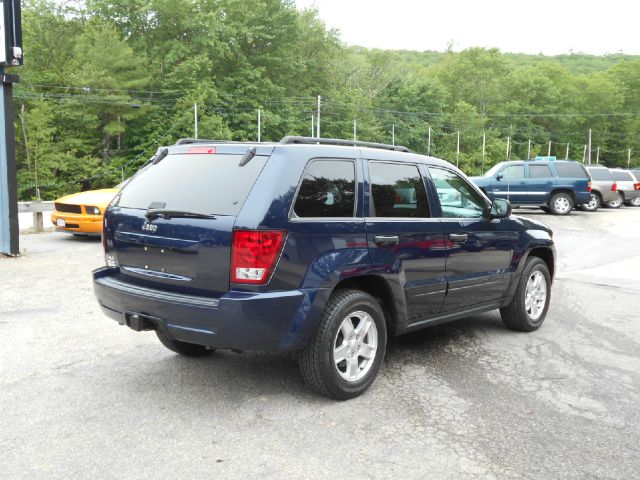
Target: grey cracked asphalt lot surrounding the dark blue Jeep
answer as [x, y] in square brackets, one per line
[84, 398]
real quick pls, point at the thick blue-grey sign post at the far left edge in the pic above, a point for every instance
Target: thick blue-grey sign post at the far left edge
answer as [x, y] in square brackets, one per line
[9, 239]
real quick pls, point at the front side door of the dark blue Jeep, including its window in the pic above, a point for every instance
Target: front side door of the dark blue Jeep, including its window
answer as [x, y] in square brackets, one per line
[479, 250]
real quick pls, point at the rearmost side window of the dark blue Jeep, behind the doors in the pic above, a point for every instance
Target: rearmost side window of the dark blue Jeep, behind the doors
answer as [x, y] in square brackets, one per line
[328, 189]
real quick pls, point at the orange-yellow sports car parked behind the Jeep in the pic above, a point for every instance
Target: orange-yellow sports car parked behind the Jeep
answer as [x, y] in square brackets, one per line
[82, 213]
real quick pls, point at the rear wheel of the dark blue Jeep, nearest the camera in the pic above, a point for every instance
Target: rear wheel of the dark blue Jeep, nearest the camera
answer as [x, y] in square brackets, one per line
[346, 352]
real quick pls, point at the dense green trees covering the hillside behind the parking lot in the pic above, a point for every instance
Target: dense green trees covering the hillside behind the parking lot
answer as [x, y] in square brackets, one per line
[106, 82]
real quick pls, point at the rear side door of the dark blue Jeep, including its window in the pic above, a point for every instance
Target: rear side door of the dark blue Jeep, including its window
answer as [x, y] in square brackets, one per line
[406, 243]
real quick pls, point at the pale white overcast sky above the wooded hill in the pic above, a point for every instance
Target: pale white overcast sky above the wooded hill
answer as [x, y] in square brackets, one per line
[521, 26]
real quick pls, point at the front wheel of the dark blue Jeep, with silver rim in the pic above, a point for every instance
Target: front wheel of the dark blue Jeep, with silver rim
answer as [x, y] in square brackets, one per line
[530, 303]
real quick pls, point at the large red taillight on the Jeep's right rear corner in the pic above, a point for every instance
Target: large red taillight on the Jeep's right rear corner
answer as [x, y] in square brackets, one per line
[254, 254]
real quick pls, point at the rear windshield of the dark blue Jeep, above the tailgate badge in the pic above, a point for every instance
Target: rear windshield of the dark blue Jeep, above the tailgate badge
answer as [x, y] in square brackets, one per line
[209, 184]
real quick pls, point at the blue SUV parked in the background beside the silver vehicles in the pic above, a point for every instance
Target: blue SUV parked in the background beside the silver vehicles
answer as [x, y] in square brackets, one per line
[554, 185]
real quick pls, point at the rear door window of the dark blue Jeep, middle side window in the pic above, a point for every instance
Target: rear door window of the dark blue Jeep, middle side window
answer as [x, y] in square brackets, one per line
[397, 190]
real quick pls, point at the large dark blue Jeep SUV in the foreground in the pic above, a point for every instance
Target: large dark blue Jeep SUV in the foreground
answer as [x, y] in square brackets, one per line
[319, 246]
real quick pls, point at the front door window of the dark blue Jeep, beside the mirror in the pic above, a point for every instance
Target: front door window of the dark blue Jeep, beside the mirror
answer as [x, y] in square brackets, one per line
[457, 198]
